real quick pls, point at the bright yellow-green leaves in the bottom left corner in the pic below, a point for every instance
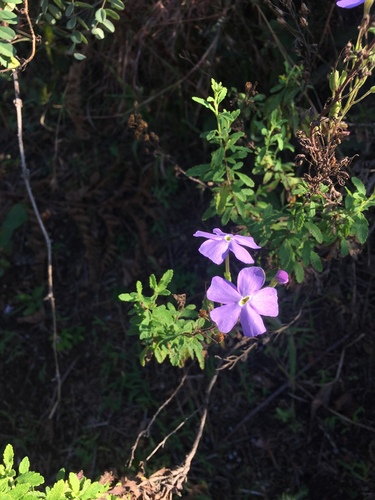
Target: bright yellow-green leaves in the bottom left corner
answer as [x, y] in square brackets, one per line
[22, 485]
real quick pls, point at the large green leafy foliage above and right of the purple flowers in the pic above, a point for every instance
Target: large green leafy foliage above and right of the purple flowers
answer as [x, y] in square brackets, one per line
[257, 188]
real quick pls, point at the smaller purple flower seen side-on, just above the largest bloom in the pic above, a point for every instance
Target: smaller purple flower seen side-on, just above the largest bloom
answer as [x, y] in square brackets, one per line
[219, 244]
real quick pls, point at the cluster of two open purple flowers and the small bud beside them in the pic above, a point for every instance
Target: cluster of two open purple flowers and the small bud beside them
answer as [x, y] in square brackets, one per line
[247, 302]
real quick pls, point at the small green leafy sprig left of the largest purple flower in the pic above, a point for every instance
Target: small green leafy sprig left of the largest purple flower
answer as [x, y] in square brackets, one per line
[166, 332]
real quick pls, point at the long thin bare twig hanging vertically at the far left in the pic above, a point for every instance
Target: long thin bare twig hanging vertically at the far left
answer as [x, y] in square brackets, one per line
[50, 297]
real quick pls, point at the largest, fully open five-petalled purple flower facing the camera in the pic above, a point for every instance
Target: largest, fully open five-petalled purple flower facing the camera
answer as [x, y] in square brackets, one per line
[247, 302]
